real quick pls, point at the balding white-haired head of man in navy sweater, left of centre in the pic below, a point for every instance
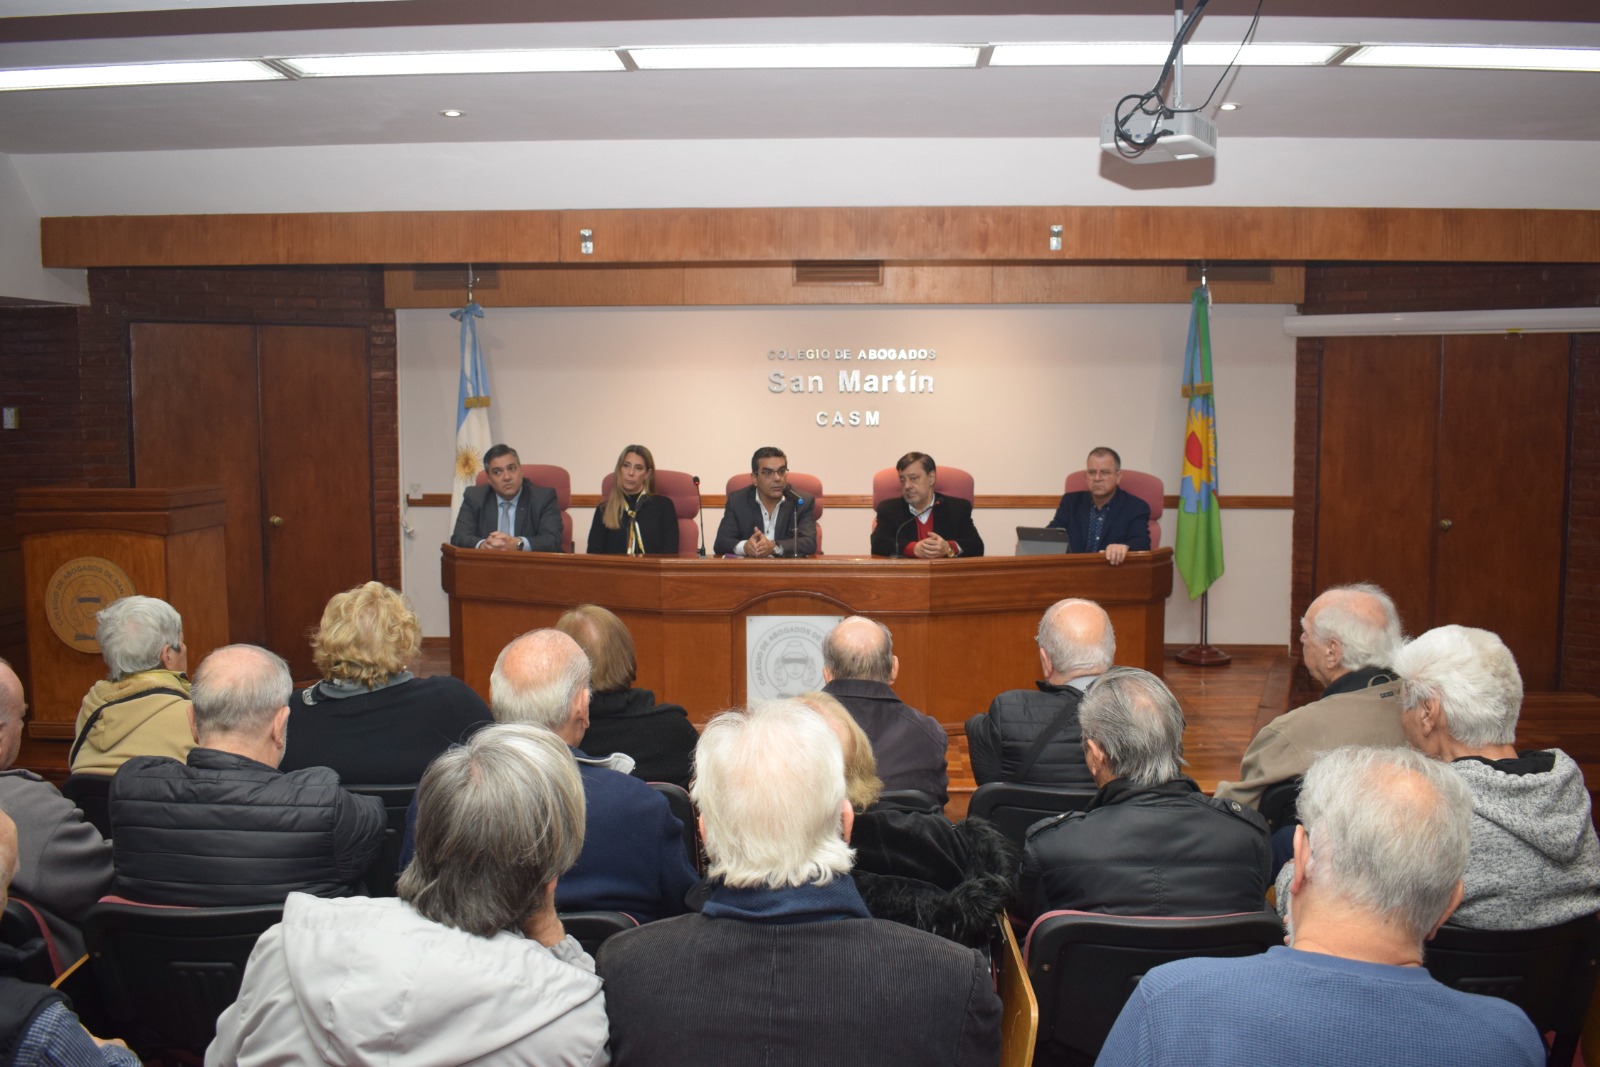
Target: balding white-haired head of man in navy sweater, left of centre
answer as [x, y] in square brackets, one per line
[543, 679]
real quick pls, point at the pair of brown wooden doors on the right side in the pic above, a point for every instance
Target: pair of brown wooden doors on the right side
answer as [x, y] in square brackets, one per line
[1442, 479]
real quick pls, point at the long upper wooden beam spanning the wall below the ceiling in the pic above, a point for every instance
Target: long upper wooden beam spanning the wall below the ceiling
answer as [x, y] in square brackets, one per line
[742, 236]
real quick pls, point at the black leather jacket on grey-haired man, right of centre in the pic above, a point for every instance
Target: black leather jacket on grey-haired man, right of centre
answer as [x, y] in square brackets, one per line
[1166, 850]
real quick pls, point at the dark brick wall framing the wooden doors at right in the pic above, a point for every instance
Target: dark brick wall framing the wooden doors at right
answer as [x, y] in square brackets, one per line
[1399, 287]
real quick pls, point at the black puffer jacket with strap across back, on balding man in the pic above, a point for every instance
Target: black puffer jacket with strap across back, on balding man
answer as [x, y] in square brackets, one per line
[1001, 740]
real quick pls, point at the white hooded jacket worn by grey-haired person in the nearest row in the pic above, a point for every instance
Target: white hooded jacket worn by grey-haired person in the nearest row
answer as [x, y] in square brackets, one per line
[369, 981]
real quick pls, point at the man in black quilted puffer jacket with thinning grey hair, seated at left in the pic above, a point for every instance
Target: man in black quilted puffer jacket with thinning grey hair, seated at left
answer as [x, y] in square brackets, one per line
[228, 828]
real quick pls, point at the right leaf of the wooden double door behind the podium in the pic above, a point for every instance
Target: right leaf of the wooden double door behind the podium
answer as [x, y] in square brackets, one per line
[316, 450]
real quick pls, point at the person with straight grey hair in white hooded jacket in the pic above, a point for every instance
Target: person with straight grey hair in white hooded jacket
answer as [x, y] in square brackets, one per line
[470, 964]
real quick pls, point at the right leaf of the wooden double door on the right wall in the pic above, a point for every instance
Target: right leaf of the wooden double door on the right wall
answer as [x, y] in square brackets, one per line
[1502, 494]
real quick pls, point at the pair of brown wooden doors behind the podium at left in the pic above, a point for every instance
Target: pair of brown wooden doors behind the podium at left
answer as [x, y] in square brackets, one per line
[279, 417]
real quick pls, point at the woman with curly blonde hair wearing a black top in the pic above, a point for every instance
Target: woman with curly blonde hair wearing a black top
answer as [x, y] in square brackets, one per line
[370, 719]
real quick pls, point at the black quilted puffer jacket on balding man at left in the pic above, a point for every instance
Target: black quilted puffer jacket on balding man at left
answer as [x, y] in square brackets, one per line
[223, 829]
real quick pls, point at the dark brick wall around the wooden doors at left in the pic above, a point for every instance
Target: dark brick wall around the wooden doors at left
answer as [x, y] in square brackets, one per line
[68, 372]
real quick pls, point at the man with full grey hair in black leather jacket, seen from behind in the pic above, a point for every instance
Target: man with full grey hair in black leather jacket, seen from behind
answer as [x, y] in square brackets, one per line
[1151, 844]
